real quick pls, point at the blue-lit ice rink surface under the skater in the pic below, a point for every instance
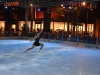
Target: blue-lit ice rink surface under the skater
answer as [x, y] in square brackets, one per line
[54, 59]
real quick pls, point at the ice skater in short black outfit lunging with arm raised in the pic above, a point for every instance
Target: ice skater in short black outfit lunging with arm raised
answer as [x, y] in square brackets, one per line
[36, 43]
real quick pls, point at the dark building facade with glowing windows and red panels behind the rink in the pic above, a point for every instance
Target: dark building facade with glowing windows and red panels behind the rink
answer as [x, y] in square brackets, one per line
[81, 21]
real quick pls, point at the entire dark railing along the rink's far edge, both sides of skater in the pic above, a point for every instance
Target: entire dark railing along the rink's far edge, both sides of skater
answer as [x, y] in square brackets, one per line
[52, 36]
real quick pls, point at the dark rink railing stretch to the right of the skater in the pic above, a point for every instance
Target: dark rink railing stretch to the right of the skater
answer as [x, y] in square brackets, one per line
[73, 38]
